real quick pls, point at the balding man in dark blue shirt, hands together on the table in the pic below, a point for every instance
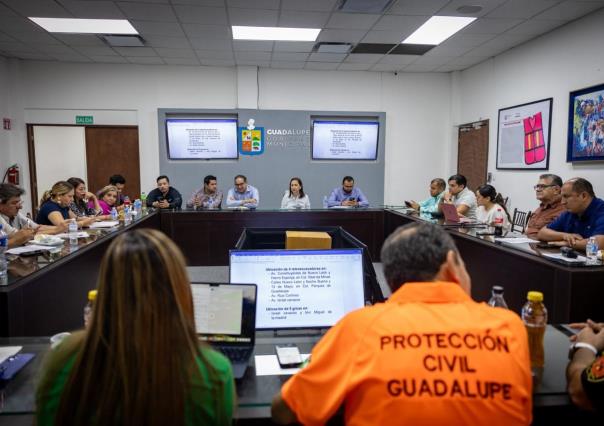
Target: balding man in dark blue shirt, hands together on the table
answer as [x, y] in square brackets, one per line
[583, 218]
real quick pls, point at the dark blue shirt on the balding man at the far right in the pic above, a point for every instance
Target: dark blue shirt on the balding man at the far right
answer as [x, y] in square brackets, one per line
[590, 223]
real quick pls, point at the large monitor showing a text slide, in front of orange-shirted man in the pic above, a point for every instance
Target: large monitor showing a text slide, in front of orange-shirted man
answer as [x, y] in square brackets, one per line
[301, 288]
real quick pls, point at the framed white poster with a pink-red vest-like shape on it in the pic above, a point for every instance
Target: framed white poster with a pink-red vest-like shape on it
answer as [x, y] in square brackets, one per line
[523, 136]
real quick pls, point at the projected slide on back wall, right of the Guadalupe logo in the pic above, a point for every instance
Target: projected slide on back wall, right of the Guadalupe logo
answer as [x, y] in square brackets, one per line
[345, 140]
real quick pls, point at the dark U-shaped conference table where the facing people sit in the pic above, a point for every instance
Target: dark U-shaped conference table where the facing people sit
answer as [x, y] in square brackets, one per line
[46, 294]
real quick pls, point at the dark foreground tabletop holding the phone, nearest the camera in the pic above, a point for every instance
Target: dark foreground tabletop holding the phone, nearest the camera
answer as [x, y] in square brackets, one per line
[254, 392]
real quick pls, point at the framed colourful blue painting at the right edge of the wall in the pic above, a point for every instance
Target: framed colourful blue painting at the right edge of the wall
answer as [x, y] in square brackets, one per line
[586, 125]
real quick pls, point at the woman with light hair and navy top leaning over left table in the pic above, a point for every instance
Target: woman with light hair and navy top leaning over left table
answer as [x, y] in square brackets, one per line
[54, 207]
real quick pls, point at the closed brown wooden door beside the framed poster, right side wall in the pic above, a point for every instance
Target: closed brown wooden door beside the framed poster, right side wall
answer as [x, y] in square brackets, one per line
[473, 153]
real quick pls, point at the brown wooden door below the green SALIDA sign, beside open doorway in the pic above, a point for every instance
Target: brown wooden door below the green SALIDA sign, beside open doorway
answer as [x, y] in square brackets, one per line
[113, 151]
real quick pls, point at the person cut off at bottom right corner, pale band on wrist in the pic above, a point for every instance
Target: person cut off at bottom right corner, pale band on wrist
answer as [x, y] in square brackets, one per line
[585, 371]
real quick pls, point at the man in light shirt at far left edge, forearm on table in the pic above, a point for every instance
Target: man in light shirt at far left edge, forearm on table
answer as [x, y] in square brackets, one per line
[19, 228]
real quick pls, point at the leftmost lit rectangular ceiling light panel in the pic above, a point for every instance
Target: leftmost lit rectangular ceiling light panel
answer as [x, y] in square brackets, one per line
[85, 26]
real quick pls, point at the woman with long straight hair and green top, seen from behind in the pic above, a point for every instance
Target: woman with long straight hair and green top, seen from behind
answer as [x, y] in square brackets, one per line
[140, 361]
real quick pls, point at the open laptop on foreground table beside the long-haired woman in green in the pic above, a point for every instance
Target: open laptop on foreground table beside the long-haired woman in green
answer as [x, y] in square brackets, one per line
[225, 318]
